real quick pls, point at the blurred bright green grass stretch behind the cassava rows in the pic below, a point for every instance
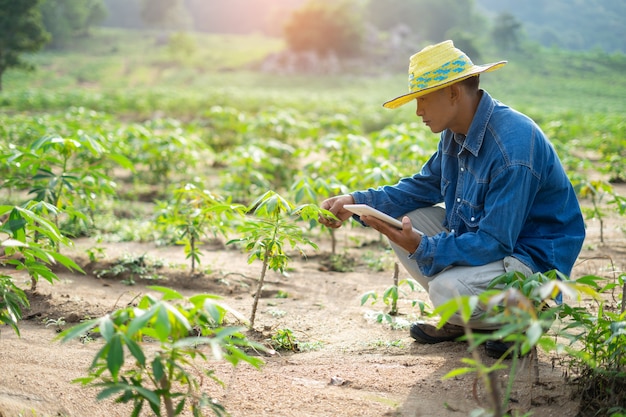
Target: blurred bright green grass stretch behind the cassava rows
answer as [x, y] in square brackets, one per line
[220, 71]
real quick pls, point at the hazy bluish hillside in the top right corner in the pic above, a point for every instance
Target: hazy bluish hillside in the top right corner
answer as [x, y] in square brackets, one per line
[568, 24]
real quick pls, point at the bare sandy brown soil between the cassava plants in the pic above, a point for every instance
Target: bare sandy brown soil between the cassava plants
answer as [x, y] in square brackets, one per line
[356, 367]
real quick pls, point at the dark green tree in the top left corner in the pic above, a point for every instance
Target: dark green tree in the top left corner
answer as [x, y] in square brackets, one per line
[21, 31]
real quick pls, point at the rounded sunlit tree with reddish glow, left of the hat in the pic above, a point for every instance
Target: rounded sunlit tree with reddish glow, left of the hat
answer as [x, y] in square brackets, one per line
[323, 26]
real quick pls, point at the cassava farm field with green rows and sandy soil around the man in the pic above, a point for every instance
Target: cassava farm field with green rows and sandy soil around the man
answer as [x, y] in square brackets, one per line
[127, 139]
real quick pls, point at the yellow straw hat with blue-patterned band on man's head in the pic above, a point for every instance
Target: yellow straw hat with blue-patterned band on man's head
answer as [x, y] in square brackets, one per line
[436, 67]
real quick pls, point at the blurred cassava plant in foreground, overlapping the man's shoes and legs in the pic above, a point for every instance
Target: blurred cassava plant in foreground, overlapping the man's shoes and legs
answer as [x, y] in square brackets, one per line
[524, 309]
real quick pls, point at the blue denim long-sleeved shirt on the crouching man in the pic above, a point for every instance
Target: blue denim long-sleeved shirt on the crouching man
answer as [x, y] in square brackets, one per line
[505, 192]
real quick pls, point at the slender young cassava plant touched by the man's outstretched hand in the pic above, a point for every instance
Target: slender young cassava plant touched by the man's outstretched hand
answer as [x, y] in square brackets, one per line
[274, 222]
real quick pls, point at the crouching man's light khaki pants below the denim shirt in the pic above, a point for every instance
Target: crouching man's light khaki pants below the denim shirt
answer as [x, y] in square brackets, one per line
[456, 280]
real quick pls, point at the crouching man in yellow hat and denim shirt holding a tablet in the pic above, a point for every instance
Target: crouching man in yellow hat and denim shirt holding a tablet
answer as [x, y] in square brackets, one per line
[509, 205]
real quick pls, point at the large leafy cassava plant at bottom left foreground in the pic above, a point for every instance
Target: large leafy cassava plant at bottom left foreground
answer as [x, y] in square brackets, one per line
[169, 380]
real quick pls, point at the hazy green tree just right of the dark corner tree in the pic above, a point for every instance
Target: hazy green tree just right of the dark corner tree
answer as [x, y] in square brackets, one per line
[68, 19]
